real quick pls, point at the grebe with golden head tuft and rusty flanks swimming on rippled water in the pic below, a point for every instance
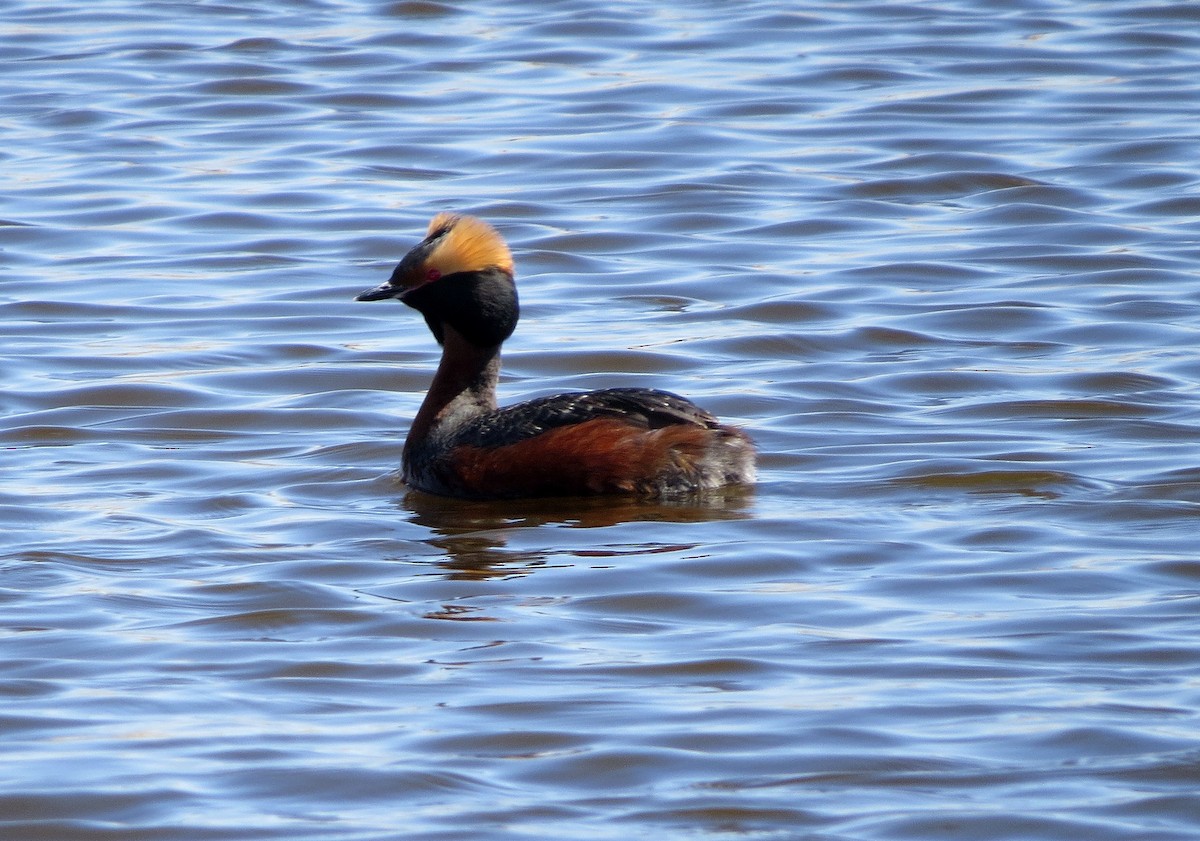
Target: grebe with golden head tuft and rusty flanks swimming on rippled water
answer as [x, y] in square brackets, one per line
[621, 441]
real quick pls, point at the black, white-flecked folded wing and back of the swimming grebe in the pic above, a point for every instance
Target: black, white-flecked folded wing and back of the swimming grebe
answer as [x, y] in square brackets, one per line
[646, 409]
